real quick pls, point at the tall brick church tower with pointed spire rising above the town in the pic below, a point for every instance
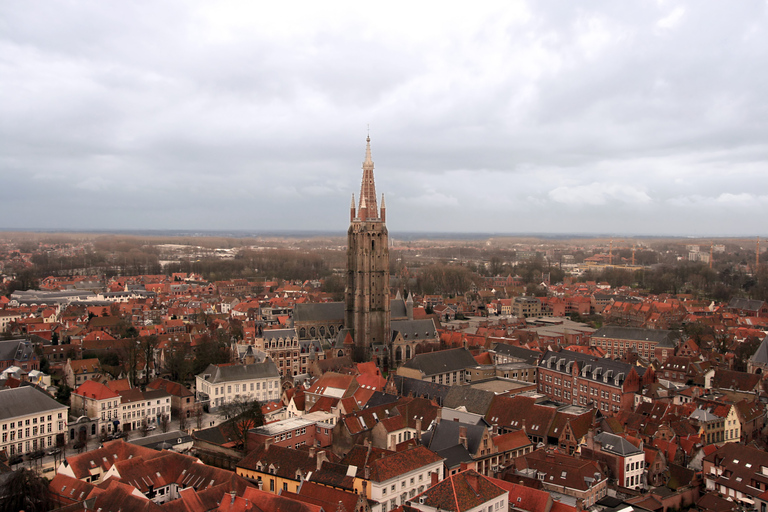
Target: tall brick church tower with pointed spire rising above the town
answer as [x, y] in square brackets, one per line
[367, 292]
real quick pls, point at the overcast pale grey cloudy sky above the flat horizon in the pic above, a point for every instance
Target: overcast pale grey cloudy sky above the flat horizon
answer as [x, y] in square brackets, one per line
[646, 117]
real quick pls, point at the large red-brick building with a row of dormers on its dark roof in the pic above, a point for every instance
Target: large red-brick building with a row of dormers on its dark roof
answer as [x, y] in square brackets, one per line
[580, 379]
